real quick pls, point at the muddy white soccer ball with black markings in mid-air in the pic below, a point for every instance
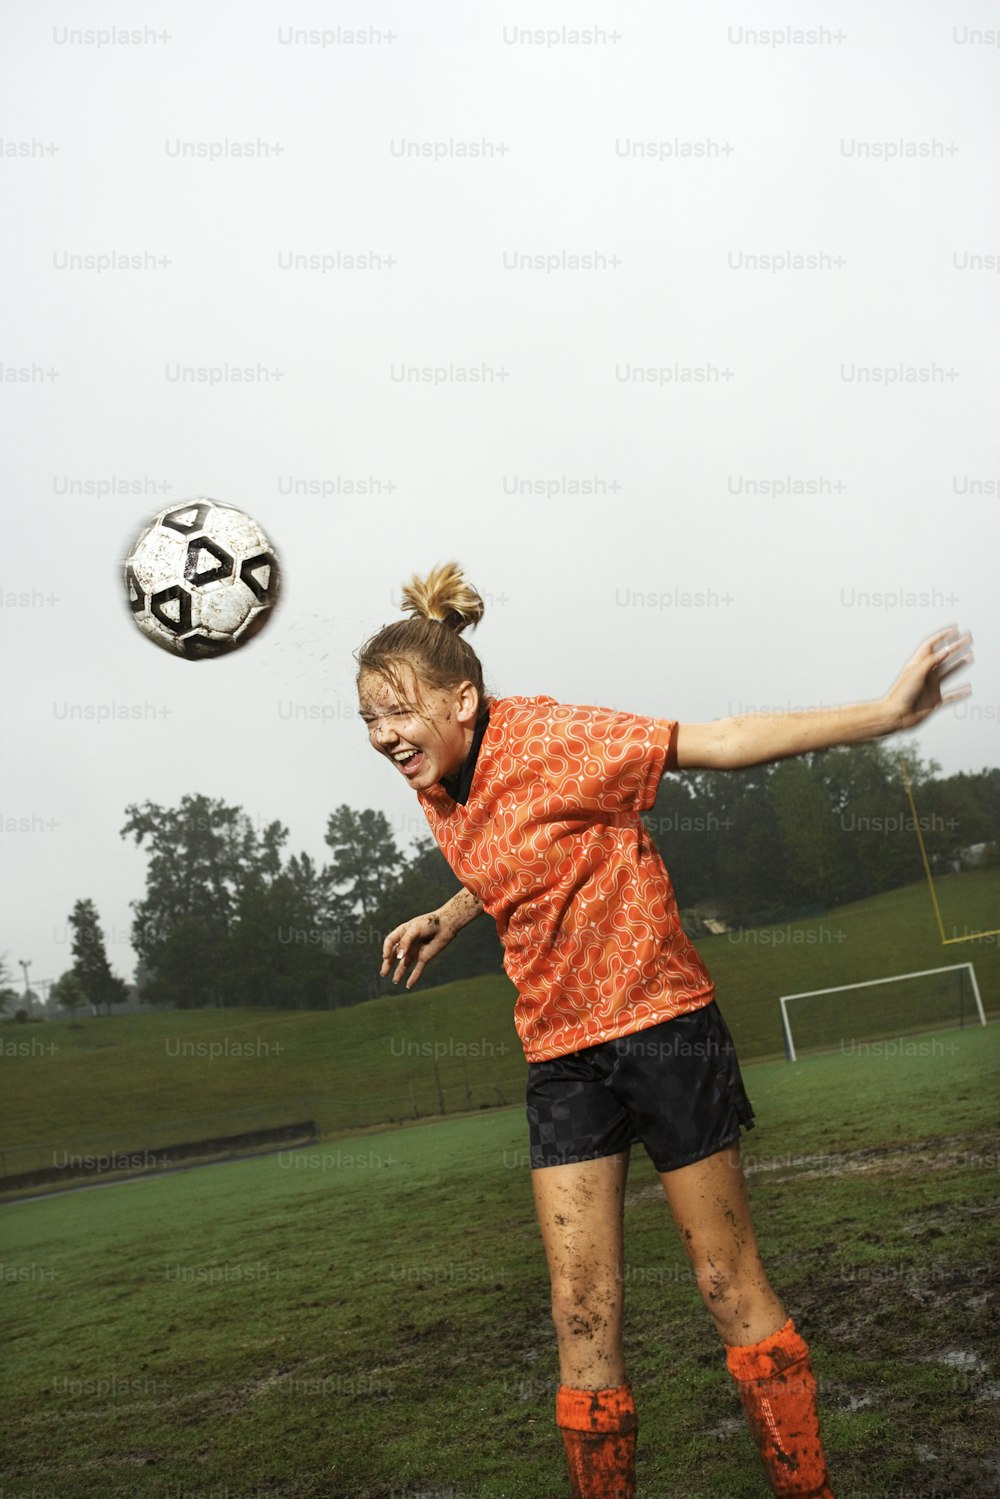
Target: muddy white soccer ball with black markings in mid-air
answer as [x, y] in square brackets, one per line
[202, 579]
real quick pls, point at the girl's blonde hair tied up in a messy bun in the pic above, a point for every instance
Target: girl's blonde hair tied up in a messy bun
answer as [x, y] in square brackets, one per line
[442, 605]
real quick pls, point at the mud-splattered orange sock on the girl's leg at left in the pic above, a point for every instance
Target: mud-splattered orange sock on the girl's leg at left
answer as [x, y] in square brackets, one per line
[599, 1431]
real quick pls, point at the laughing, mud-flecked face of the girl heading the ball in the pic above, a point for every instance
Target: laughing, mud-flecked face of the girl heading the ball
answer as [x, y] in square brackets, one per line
[422, 749]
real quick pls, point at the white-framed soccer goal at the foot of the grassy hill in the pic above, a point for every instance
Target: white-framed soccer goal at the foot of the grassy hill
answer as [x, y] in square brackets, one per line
[900, 1005]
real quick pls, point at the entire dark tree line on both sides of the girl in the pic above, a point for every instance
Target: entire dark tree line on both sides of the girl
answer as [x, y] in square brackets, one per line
[230, 920]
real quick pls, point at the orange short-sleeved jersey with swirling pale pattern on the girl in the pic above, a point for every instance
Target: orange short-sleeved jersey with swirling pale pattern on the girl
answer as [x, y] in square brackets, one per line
[552, 843]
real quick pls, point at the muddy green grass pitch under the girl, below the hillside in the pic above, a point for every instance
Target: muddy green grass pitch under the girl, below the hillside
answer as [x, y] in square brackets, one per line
[370, 1318]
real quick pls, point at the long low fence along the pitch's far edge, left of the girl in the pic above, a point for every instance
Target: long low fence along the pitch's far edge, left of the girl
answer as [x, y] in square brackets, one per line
[325, 1112]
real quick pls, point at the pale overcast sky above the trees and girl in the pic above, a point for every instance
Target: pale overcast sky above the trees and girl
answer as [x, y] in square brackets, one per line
[671, 148]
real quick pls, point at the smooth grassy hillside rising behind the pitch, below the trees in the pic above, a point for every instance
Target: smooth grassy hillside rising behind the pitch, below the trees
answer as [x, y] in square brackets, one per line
[133, 1083]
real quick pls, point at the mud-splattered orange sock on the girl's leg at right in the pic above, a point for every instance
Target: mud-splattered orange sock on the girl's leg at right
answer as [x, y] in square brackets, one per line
[777, 1390]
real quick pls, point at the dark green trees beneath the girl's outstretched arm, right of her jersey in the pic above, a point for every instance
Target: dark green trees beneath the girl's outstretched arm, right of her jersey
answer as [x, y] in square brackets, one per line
[816, 831]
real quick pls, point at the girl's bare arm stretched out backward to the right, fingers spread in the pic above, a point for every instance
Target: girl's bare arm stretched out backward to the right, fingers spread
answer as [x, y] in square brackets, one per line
[734, 744]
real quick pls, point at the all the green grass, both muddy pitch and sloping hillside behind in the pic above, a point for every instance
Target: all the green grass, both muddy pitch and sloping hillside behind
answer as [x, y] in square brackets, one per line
[370, 1318]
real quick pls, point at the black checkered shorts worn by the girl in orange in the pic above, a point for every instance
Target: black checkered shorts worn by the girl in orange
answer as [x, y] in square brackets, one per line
[674, 1088]
